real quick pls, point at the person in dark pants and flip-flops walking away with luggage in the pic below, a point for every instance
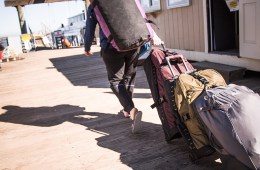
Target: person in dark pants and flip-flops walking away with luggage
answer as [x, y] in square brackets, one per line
[121, 68]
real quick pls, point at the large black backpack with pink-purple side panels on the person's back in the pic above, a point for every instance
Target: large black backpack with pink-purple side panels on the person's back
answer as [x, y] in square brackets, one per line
[123, 22]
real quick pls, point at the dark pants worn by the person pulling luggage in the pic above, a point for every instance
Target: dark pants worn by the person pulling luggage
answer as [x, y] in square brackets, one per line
[121, 71]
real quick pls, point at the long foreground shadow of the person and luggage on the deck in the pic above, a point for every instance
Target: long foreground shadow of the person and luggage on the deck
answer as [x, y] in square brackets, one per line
[145, 150]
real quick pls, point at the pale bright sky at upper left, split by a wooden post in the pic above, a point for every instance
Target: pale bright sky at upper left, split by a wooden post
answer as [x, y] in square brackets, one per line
[38, 16]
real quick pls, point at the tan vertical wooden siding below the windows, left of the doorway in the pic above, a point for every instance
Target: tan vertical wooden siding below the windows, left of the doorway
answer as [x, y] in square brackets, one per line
[181, 28]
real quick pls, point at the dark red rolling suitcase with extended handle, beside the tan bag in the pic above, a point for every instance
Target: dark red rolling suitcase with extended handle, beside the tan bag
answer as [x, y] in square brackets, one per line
[162, 68]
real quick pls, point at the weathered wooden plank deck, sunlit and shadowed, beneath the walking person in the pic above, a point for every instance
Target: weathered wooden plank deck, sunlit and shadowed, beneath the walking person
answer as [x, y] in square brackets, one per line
[57, 112]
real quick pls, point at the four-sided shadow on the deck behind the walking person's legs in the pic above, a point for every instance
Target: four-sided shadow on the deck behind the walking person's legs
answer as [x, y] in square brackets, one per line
[90, 71]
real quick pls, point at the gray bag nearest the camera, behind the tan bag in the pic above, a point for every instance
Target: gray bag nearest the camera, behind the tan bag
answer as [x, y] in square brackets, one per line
[231, 115]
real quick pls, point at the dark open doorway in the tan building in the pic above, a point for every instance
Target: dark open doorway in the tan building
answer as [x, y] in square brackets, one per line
[223, 28]
